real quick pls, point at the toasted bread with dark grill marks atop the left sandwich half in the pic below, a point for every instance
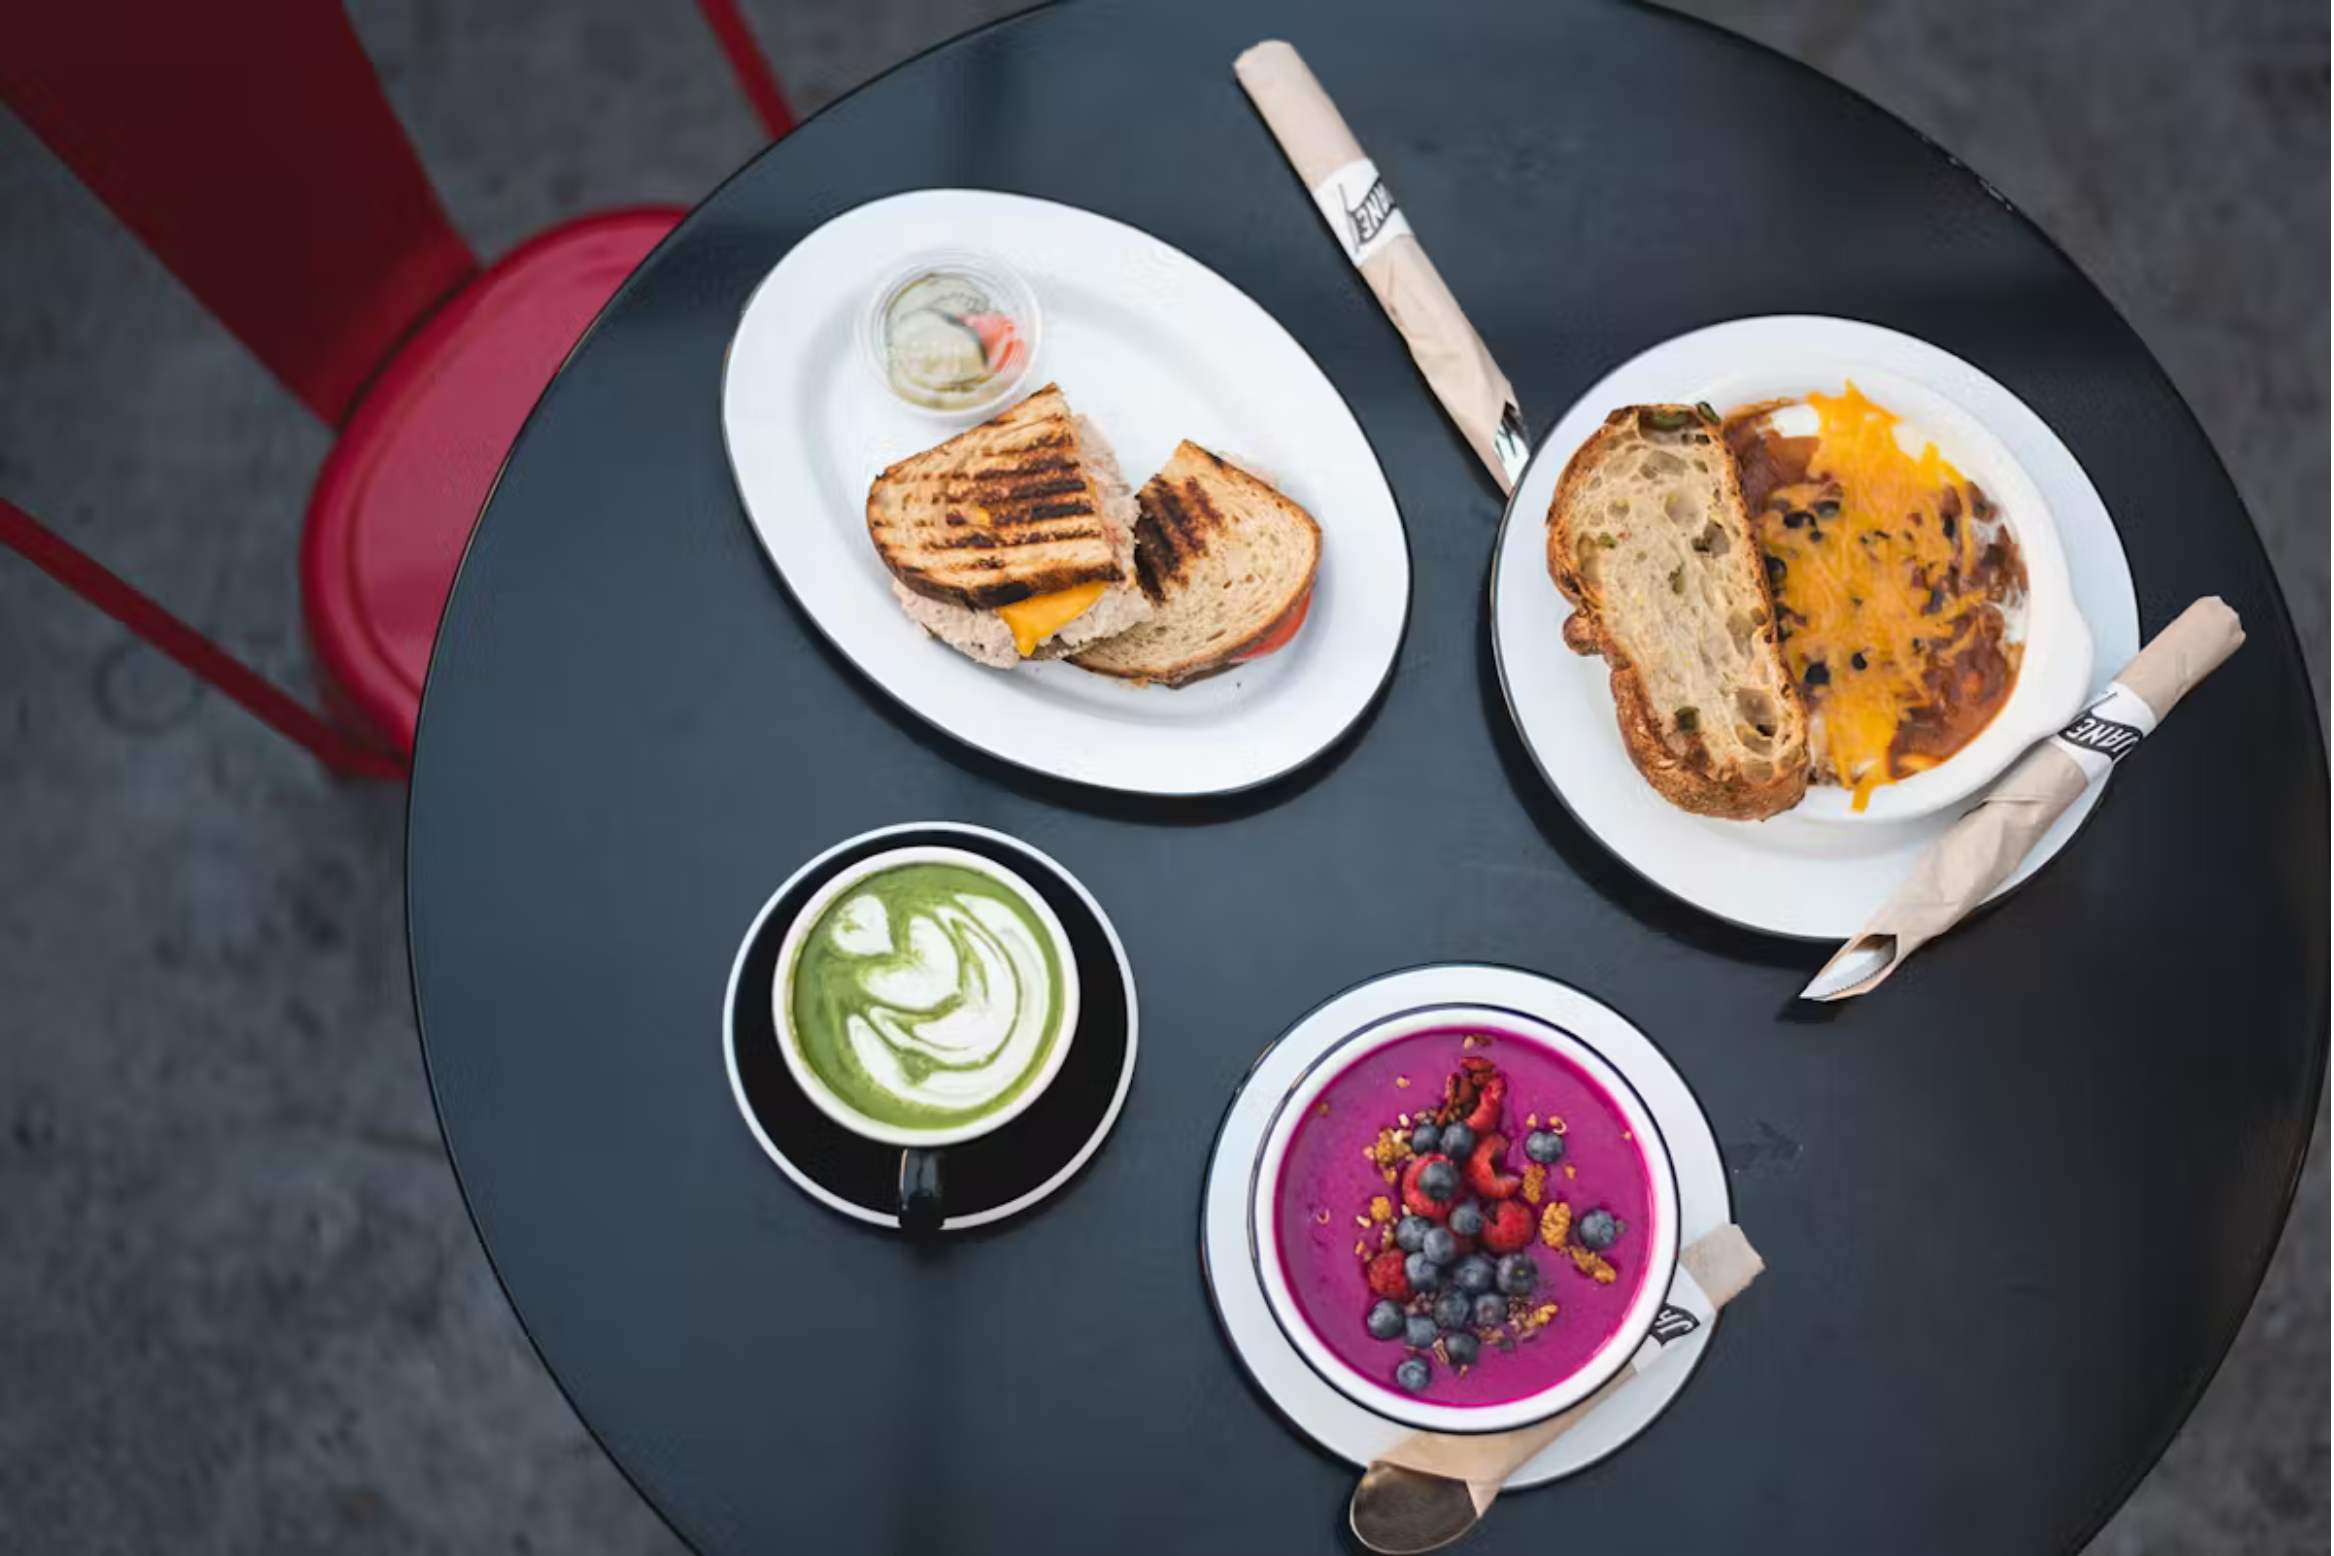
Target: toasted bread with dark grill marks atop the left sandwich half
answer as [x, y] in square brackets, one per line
[998, 514]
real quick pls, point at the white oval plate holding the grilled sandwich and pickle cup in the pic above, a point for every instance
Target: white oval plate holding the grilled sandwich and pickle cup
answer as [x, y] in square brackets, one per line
[1154, 349]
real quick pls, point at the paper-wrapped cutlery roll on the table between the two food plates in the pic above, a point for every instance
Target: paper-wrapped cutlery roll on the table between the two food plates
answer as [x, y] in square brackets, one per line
[1378, 239]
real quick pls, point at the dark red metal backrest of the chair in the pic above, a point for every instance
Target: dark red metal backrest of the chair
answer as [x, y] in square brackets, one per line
[251, 148]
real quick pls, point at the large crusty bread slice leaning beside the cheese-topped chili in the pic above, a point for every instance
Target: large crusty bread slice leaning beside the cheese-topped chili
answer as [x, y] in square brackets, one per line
[1651, 542]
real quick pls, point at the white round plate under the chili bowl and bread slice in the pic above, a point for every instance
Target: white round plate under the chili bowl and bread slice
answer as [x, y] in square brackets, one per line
[1796, 874]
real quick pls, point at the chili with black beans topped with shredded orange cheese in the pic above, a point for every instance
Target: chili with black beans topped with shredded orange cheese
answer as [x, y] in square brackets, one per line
[1894, 582]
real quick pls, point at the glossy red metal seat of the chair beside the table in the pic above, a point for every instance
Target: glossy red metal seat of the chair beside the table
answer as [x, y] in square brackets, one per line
[403, 489]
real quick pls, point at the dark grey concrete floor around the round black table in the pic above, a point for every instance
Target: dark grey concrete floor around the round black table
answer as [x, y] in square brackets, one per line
[242, 1310]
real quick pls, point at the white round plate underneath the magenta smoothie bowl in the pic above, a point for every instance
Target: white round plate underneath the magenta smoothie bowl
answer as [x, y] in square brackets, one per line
[1234, 1287]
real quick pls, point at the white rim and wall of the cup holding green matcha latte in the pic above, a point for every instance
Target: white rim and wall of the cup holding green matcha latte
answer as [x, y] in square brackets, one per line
[839, 1109]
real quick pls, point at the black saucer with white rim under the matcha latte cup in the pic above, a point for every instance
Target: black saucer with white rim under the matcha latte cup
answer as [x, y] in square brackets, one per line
[998, 1175]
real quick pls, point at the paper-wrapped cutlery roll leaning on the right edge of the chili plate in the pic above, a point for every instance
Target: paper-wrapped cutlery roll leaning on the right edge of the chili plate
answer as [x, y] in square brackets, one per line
[1964, 867]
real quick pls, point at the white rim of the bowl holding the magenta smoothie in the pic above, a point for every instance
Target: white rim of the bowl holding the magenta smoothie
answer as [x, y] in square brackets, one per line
[1658, 1245]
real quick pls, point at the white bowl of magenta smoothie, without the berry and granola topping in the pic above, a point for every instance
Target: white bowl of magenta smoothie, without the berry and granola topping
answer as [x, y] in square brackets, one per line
[1313, 1184]
